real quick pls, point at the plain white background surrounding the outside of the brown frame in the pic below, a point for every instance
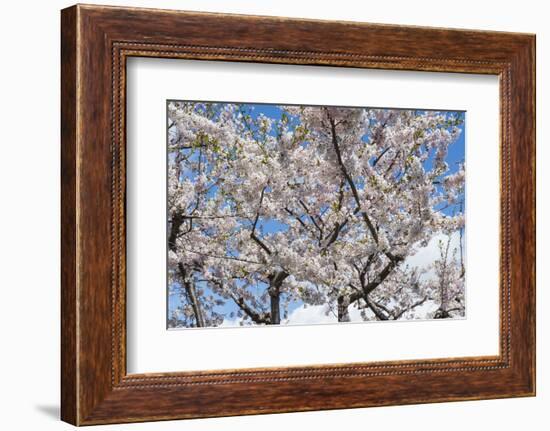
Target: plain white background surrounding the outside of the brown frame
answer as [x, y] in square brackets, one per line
[29, 214]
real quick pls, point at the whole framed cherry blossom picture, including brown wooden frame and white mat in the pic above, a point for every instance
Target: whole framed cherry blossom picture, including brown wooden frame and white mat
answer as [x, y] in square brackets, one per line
[264, 214]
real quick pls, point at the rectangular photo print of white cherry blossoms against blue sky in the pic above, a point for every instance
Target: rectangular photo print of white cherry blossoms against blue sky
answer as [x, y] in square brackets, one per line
[290, 214]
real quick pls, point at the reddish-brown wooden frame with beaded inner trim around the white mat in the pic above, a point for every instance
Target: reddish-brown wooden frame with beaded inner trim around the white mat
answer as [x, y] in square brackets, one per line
[95, 43]
